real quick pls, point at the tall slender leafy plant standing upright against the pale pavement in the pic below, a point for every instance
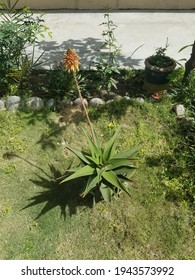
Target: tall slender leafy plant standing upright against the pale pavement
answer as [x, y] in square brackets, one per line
[108, 66]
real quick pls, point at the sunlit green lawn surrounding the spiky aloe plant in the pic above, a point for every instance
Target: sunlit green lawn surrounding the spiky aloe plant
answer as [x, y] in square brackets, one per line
[40, 219]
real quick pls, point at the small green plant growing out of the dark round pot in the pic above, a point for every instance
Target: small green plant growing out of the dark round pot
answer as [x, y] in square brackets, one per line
[159, 59]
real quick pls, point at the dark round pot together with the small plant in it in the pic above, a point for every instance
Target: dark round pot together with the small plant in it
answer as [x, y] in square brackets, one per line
[157, 69]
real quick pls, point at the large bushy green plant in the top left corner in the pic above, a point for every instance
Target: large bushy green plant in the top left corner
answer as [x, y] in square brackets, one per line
[19, 30]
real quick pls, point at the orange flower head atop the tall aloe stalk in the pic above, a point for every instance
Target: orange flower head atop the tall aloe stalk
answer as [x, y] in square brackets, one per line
[71, 61]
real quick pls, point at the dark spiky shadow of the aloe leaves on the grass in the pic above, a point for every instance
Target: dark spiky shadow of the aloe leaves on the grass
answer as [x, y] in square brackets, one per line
[66, 196]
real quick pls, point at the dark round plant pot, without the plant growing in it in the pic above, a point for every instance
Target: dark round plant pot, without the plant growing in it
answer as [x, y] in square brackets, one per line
[157, 77]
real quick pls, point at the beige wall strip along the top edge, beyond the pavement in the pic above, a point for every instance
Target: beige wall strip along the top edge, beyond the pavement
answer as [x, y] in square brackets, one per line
[102, 4]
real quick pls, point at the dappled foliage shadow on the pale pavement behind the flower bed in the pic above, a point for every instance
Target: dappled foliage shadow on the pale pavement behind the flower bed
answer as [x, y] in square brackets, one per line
[87, 50]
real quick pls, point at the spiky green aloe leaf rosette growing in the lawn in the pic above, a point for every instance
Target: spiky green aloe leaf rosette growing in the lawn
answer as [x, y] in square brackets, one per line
[105, 169]
